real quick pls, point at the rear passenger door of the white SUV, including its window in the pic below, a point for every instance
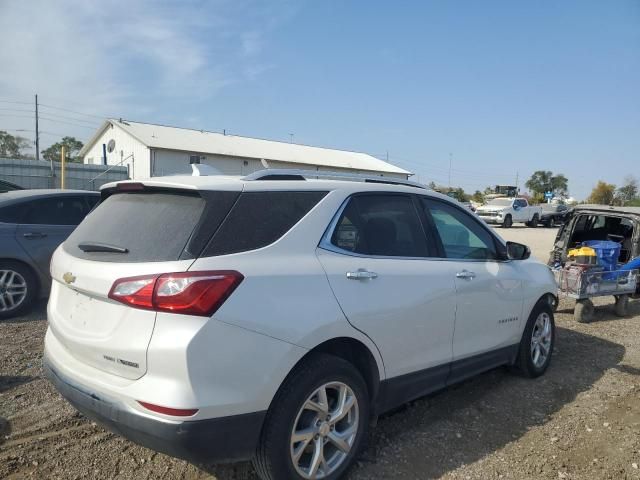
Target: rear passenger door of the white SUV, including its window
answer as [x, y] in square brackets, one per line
[376, 257]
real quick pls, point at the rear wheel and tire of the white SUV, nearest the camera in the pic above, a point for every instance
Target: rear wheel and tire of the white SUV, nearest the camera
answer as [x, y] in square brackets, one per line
[289, 413]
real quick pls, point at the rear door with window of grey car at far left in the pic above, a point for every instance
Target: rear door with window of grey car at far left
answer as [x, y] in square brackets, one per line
[47, 222]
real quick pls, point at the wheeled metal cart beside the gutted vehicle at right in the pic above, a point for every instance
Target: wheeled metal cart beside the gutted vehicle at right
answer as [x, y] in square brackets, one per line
[584, 284]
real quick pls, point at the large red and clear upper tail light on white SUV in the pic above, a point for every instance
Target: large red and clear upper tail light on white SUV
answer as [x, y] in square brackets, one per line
[189, 293]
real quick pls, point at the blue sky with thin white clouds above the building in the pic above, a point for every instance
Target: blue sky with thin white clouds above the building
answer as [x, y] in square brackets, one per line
[505, 87]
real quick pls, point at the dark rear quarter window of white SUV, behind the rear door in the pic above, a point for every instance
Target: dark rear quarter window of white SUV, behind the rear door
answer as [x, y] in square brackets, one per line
[260, 218]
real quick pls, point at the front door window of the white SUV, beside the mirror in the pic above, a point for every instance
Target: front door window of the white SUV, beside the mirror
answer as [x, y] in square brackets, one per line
[461, 235]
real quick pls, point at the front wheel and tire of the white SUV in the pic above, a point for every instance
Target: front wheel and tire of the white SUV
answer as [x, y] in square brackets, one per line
[538, 340]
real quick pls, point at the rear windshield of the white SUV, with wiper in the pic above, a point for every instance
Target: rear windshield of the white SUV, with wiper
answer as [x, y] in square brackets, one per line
[151, 226]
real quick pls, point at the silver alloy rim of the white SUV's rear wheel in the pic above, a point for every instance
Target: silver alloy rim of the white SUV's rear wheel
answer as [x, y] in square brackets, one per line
[324, 431]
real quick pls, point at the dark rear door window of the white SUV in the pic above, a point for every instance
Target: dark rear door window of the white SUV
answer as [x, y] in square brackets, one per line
[386, 225]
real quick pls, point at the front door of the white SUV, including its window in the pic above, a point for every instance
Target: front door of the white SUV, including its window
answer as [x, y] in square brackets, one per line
[489, 297]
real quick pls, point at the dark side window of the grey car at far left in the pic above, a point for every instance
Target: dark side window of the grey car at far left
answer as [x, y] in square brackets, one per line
[55, 211]
